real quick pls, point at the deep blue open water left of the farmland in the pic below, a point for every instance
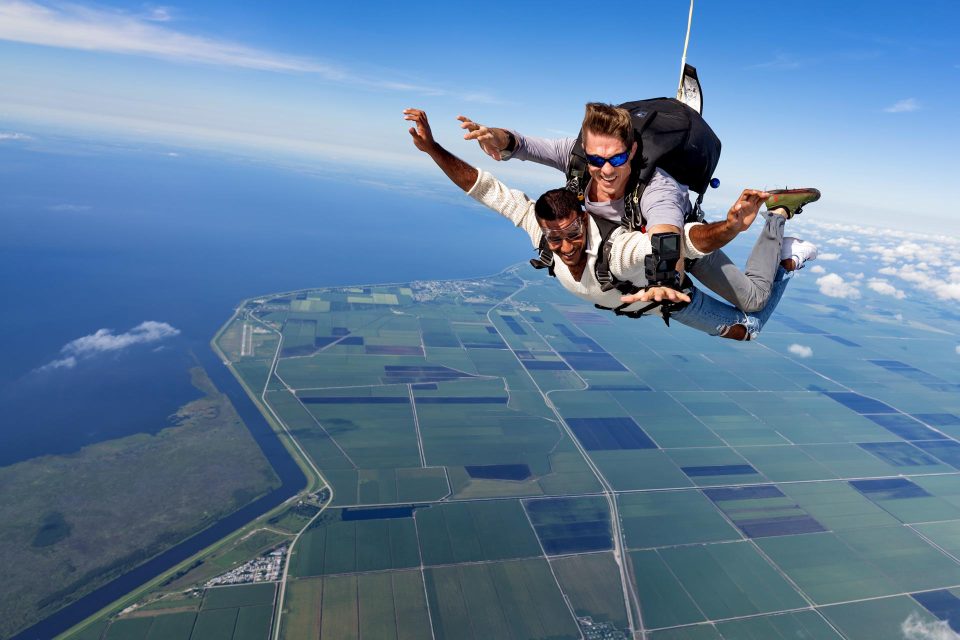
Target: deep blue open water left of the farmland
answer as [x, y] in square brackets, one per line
[109, 237]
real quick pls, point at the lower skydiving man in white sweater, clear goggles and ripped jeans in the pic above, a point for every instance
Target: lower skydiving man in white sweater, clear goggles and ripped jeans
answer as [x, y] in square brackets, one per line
[574, 237]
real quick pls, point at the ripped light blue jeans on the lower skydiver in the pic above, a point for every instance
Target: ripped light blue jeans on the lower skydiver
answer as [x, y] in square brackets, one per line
[715, 318]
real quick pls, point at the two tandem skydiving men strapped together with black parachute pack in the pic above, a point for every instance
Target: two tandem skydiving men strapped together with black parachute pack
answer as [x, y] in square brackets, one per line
[629, 256]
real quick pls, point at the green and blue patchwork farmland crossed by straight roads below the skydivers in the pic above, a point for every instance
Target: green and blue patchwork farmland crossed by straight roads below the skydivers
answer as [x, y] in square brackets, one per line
[506, 463]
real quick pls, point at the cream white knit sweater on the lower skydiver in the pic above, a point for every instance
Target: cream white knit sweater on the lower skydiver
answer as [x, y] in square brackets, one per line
[627, 251]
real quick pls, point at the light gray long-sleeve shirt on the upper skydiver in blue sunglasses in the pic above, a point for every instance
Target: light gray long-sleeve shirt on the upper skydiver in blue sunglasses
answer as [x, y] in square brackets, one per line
[664, 201]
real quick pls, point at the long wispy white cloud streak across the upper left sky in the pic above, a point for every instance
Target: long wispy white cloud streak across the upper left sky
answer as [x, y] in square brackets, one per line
[72, 26]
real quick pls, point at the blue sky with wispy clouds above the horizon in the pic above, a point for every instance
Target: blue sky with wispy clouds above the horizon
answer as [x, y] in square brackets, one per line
[858, 98]
